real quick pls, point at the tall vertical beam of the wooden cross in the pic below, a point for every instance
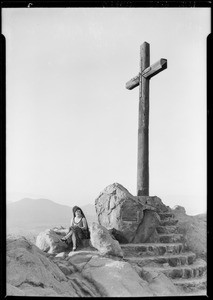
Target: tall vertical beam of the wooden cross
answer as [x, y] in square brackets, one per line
[143, 124]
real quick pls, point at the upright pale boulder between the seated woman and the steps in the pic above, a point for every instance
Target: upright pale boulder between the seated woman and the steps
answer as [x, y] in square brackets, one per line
[103, 242]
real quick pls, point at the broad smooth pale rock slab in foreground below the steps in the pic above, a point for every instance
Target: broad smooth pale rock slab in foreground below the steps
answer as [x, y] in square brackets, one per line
[117, 278]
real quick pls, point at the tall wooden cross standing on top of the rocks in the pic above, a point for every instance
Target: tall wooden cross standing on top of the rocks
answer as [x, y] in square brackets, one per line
[142, 79]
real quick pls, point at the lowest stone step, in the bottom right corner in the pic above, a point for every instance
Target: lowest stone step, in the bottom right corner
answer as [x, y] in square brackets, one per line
[191, 284]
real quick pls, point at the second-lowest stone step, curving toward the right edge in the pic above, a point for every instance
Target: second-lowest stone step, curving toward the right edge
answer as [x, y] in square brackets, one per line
[194, 270]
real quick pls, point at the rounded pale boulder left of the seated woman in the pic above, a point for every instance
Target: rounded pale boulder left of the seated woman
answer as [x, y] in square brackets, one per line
[50, 241]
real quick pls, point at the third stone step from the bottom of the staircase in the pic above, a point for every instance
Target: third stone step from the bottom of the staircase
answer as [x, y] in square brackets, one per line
[174, 260]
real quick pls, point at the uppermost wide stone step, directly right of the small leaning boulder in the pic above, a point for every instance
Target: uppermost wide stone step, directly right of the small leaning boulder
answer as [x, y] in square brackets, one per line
[150, 249]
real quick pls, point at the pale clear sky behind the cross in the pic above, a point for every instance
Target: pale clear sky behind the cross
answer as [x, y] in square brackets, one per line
[71, 125]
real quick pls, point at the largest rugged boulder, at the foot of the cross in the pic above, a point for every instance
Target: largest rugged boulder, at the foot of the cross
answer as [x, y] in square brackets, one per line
[117, 208]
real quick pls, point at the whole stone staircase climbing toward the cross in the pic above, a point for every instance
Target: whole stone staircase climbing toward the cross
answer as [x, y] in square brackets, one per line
[170, 257]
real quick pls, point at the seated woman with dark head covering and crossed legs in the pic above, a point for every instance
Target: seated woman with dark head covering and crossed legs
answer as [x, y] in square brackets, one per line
[78, 229]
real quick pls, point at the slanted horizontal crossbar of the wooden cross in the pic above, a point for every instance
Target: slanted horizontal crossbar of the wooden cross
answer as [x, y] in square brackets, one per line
[148, 73]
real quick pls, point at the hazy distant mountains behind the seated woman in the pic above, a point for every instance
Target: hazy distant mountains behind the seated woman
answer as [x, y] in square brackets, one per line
[30, 213]
